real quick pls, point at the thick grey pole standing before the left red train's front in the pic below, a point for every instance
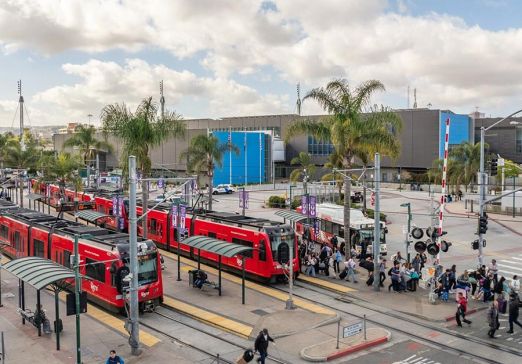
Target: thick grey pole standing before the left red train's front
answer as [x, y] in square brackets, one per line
[133, 253]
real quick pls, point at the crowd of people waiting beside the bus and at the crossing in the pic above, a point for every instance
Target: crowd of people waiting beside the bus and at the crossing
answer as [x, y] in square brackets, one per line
[484, 284]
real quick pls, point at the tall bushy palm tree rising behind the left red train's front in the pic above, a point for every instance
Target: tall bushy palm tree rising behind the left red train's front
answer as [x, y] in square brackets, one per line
[140, 132]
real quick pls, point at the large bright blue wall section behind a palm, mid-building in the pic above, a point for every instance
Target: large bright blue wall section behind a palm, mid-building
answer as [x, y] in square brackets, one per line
[252, 163]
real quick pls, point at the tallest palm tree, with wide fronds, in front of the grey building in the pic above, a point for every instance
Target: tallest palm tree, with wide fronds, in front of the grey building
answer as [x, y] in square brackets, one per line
[351, 131]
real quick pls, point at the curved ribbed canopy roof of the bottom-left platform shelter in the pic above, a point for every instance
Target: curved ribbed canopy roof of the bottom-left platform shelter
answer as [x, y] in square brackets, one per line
[38, 272]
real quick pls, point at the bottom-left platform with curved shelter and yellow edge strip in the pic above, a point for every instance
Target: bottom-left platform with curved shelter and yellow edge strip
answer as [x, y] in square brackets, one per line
[100, 333]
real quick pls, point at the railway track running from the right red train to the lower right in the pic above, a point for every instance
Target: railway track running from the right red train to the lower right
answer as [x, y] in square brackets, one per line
[394, 325]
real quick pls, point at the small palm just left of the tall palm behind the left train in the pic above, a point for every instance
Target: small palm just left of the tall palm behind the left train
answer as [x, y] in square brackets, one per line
[88, 146]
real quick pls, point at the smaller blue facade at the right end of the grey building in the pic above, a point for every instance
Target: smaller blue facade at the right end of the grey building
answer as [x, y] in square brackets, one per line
[461, 130]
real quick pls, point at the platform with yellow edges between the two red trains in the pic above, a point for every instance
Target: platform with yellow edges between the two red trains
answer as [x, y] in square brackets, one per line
[264, 306]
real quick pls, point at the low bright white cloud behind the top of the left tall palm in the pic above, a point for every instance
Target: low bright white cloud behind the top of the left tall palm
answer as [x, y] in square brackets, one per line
[105, 83]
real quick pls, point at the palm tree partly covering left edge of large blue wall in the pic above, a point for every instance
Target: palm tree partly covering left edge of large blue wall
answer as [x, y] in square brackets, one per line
[203, 155]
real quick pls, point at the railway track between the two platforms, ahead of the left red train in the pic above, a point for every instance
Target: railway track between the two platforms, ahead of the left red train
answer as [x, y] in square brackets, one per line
[209, 335]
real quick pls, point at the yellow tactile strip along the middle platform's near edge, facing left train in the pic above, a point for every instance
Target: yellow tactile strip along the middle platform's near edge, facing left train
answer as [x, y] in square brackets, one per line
[235, 327]
